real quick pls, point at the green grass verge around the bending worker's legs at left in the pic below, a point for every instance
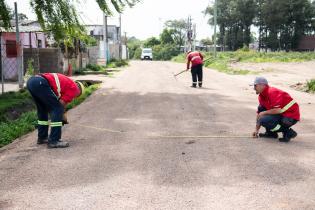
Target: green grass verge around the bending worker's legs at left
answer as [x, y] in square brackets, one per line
[13, 129]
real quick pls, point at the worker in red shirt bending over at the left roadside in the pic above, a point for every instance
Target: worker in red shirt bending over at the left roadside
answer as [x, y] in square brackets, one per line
[51, 93]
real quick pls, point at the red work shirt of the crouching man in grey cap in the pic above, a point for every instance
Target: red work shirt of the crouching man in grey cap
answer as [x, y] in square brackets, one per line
[272, 98]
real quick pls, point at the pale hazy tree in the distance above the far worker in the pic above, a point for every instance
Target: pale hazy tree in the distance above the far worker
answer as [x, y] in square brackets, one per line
[178, 29]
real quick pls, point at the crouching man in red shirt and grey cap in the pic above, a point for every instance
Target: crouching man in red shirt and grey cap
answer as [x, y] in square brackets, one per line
[277, 112]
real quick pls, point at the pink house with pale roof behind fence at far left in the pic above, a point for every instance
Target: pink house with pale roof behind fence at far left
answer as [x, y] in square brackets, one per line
[31, 36]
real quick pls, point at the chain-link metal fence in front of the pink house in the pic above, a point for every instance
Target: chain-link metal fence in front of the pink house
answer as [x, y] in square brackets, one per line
[11, 65]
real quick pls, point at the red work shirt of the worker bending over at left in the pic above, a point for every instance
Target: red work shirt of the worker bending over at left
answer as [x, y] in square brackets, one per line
[68, 88]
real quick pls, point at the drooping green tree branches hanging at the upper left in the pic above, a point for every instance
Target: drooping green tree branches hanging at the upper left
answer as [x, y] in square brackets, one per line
[60, 16]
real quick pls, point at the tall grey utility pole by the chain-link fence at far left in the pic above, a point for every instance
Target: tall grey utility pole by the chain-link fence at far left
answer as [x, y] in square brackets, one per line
[19, 58]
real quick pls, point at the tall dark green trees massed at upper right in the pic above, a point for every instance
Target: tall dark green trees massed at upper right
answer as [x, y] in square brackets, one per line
[281, 23]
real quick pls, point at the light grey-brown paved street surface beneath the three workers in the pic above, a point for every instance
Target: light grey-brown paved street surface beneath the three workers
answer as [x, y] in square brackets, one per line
[148, 141]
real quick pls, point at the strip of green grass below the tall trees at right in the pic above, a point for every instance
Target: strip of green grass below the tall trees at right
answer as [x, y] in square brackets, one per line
[223, 60]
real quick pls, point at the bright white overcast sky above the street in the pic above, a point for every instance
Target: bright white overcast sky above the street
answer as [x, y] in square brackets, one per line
[144, 20]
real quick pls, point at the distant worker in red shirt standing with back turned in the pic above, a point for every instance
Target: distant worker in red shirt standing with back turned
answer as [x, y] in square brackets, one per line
[196, 60]
